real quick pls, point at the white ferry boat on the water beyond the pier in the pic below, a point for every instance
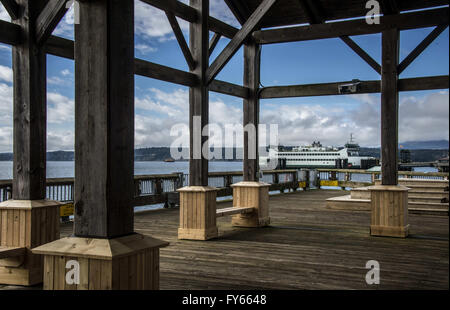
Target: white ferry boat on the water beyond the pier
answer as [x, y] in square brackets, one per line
[318, 156]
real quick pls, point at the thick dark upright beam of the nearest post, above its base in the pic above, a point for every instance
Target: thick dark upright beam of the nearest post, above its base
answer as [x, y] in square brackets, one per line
[104, 119]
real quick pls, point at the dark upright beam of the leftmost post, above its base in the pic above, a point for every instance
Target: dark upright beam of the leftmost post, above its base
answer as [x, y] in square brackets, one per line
[30, 119]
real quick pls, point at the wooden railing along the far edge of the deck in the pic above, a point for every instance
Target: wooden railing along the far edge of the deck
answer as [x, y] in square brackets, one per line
[161, 188]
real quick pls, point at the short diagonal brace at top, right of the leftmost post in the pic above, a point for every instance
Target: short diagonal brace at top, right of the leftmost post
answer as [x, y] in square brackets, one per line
[49, 18]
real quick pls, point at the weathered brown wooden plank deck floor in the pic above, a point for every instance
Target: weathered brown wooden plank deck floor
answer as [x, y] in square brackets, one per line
[307, 246]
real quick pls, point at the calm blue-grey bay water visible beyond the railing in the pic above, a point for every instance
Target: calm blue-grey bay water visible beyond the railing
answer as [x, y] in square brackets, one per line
[65, 169]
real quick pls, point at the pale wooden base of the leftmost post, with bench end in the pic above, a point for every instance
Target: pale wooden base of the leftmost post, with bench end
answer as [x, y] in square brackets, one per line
[25, 224]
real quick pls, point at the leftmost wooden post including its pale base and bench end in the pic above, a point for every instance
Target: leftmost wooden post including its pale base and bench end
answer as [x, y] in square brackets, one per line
[28, 220]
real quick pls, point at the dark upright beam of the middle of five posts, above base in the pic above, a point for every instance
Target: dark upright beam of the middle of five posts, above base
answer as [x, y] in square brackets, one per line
[198, 95]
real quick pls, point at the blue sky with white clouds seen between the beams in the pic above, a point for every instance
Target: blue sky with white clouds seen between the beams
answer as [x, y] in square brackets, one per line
[424, 115]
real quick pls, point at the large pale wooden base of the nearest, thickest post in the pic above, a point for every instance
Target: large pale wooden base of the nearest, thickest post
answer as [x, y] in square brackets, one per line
[124, 263]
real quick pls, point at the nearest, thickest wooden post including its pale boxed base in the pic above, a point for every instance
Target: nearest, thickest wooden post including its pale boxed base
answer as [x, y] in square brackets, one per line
[105, 246]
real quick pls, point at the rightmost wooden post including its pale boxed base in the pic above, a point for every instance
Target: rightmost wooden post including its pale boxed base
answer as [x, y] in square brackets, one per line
[389, 200]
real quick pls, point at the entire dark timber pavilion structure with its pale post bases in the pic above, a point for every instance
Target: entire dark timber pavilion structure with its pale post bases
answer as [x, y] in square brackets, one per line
[104, 244]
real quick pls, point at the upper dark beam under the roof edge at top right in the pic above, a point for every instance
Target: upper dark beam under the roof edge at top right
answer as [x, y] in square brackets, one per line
[404, 21]
